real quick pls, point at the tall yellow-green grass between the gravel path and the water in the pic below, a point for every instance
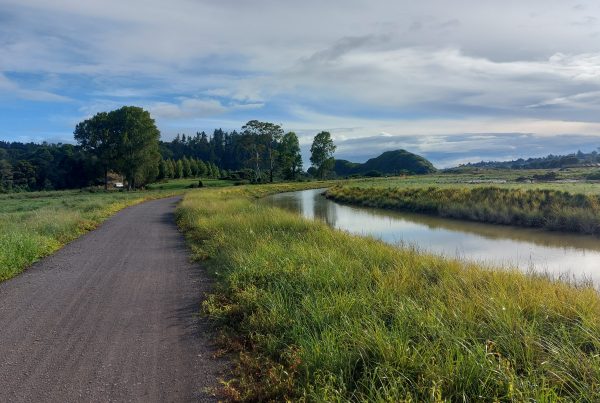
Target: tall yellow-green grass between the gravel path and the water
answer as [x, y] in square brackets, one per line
[321, 315]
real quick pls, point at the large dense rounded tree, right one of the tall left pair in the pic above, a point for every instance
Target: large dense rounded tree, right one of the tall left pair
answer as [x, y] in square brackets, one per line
[138, 155]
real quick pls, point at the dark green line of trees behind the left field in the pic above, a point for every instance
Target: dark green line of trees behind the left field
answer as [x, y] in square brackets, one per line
[127, 142]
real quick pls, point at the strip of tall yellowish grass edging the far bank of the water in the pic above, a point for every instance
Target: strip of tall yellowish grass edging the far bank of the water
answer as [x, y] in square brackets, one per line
[528, 207]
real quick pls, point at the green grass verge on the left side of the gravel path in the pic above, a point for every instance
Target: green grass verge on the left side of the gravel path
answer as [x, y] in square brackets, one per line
[36, 224]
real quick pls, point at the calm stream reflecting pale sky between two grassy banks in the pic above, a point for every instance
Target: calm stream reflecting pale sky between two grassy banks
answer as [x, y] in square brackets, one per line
[528, 249]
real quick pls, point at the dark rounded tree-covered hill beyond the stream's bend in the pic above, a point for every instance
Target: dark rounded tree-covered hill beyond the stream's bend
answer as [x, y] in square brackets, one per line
[389, 163]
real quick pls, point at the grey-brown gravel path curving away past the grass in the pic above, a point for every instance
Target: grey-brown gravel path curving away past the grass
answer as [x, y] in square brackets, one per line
[110, 317]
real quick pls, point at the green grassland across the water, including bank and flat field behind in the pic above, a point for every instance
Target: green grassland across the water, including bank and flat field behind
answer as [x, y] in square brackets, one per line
[573, 207]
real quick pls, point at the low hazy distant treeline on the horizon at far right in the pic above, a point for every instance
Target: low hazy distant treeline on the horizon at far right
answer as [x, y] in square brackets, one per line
[548, 162]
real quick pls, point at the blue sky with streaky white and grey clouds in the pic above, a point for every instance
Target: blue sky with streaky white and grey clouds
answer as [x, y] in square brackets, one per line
[457, 81]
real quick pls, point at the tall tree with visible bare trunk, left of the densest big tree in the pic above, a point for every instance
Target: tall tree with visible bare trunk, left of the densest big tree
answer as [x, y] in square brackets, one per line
[96, 136]
